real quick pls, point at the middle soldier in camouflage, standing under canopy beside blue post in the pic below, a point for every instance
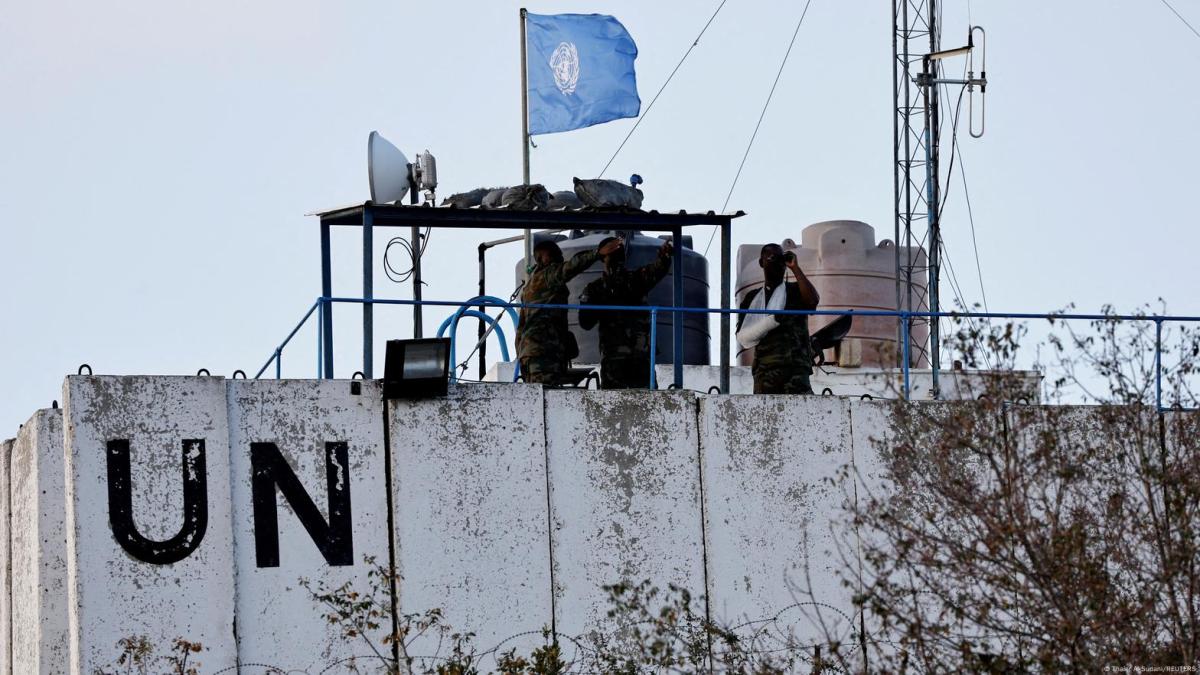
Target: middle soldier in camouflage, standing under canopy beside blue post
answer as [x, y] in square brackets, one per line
[625, 337]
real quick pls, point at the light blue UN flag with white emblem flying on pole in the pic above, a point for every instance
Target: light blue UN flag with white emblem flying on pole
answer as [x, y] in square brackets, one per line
[581, 71]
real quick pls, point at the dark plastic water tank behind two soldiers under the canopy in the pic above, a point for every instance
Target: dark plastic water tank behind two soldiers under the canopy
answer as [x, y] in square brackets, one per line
[641, 250]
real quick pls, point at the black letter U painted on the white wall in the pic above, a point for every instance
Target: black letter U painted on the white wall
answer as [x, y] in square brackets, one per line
[196, 506]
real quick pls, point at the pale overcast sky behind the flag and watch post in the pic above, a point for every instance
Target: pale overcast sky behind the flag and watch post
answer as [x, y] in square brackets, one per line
[157, 159]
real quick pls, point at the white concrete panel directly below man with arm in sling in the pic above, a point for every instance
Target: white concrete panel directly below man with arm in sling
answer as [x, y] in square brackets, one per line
[770, 512]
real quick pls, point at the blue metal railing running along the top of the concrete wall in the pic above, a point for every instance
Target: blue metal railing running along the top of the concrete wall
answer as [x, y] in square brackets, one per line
[905, 318]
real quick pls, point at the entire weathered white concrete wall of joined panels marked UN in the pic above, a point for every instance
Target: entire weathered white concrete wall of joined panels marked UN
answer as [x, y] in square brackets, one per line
[512, 507]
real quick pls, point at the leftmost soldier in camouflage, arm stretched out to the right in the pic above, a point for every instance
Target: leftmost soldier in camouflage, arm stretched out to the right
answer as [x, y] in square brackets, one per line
[544, 343]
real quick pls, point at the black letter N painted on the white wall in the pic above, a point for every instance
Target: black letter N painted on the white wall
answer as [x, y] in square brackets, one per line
[269, 471]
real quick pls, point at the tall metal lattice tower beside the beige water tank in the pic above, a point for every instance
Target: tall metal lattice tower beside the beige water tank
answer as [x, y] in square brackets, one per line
[916, 133]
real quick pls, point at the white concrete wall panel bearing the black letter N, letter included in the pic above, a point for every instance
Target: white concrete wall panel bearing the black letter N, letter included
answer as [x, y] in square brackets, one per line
[291, 441]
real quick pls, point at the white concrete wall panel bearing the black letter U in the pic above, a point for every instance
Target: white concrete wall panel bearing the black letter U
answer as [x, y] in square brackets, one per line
[149, 531]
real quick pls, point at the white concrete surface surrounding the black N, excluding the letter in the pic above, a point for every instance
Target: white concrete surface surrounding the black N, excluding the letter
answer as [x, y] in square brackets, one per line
[279, 623]
